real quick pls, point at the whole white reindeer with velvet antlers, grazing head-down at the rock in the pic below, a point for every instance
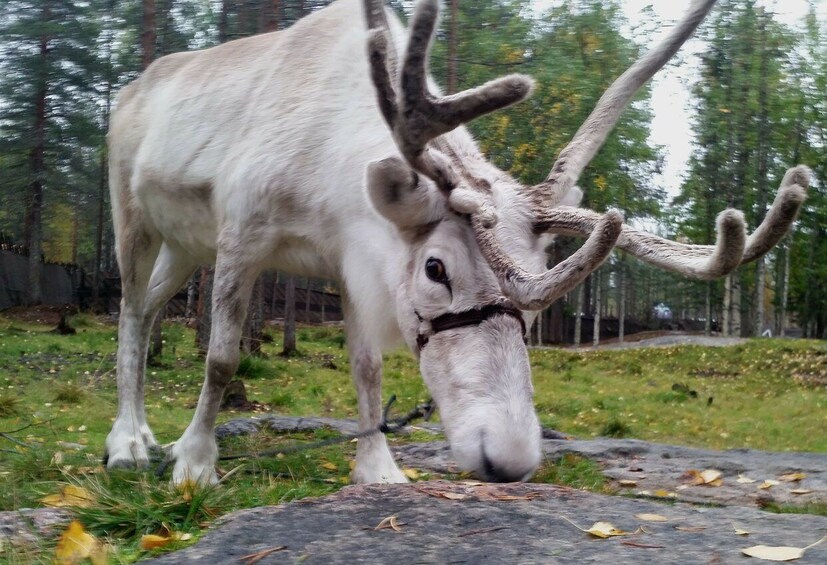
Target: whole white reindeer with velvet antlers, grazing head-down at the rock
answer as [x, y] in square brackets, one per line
[294, 150]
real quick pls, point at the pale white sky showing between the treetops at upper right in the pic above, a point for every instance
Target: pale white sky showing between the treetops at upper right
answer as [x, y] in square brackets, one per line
[671, 99]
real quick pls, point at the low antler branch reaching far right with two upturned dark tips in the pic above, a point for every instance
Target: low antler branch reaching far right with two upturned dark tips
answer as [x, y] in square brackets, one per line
[731, 249]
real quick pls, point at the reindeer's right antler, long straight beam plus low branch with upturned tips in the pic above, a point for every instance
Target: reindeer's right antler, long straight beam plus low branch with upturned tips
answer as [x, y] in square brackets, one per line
[700, 261]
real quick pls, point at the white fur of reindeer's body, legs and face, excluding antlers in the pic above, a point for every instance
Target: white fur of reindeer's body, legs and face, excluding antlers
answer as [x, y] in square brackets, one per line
[253, 154]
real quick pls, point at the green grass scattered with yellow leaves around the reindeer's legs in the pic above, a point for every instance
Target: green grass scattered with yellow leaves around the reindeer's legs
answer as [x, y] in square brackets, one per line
[765, 394]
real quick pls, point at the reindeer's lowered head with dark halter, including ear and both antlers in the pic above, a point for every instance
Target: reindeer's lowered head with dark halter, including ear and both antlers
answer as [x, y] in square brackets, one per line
[476, 264]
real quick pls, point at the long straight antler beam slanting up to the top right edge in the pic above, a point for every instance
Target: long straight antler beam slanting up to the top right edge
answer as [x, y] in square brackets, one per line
[594, 131]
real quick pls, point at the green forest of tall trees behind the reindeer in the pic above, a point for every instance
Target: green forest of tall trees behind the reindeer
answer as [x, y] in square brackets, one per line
[758, 108]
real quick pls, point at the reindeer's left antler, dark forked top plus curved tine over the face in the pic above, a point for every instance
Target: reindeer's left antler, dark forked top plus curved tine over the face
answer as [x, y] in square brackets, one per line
[417, 117]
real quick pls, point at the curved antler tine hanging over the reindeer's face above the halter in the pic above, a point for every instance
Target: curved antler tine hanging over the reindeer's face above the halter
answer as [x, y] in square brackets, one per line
[531, 291]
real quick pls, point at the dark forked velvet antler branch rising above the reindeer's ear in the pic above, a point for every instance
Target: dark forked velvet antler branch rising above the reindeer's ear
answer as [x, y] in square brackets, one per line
[417, 116]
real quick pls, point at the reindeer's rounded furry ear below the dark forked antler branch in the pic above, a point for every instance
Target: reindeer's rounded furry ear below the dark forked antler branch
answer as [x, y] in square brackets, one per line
[402, 196]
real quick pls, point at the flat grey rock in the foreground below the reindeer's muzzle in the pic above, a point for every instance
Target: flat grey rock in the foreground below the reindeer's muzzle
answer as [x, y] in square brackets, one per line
[514, 523]
